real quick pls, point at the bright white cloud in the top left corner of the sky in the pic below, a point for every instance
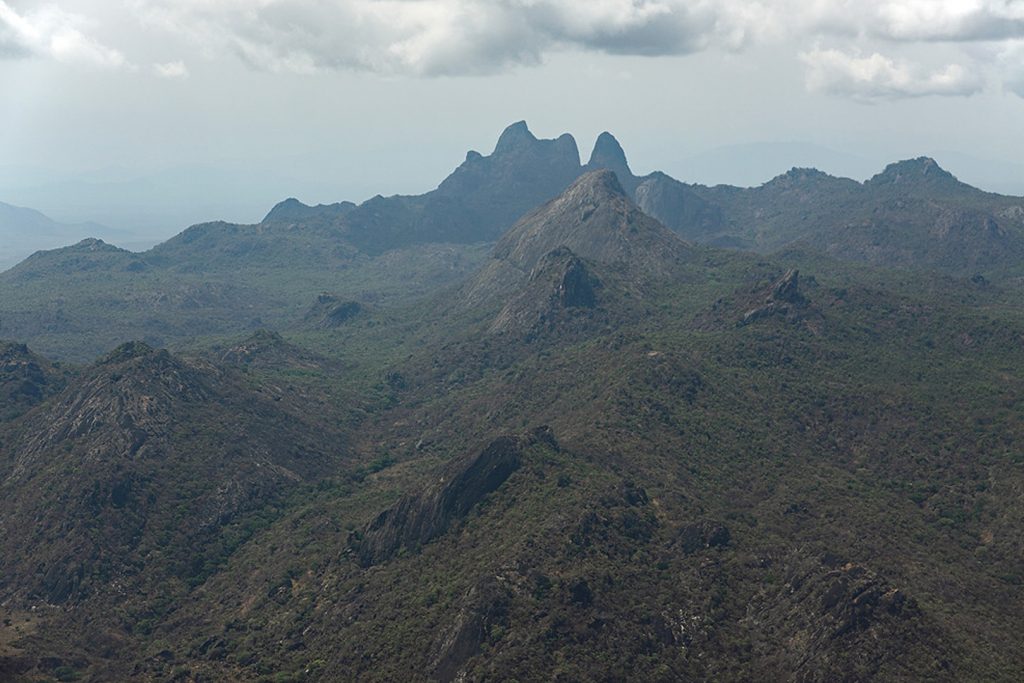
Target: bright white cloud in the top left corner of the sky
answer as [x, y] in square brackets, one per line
[51, 32]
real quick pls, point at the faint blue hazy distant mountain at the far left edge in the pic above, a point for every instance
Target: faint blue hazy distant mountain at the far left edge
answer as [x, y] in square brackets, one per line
[26, 231]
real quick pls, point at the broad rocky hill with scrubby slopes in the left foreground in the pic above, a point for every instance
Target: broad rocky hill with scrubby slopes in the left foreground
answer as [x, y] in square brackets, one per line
[144, 472]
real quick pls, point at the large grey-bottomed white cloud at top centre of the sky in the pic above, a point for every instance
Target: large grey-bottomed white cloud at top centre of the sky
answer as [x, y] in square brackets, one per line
[450, 37]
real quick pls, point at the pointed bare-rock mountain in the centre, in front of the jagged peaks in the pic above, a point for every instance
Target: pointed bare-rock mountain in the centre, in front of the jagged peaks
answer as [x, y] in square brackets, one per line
[557, 259]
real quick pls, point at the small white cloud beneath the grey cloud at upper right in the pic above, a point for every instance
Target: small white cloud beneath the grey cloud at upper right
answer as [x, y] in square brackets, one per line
[879, 77]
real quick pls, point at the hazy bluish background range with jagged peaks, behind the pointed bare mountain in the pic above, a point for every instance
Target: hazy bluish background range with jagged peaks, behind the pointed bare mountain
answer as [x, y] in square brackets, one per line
[228, 279]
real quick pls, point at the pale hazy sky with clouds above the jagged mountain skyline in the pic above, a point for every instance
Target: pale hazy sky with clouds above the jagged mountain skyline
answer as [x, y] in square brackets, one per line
[150, 115]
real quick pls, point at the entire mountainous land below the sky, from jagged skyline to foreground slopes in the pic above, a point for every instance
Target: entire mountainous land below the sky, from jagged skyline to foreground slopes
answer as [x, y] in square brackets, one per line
[539, 424]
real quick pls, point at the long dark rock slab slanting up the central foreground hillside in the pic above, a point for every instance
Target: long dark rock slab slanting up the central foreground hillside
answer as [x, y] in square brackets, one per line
[417, 520]
